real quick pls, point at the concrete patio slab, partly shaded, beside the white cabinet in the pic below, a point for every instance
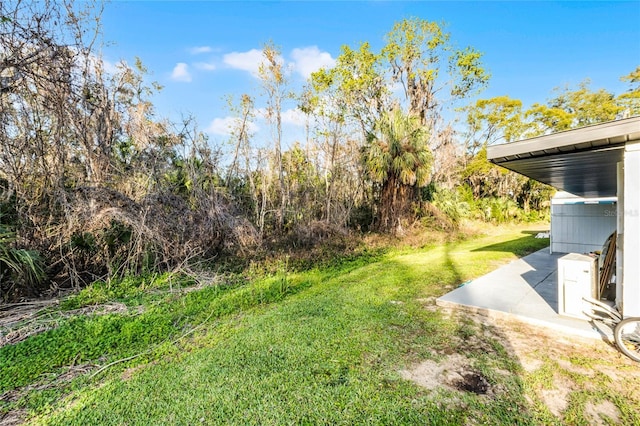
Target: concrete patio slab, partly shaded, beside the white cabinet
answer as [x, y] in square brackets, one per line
[526, 290]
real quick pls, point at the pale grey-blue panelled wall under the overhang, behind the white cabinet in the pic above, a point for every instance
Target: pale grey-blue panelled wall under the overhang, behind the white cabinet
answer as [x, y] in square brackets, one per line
[581, 228]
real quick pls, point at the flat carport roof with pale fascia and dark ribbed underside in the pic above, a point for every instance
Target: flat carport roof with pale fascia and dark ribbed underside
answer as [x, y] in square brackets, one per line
[581, 161]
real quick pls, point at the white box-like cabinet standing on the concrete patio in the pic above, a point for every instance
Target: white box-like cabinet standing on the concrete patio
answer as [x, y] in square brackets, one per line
[577, 278]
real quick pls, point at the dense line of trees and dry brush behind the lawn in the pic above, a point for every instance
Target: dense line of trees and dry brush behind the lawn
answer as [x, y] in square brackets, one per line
[93, 185]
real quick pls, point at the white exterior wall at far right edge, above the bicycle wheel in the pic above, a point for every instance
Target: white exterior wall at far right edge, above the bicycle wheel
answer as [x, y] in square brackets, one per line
[631, 233]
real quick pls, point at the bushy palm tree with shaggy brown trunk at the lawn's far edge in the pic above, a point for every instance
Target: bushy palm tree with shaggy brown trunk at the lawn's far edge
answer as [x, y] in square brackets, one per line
[398, 158]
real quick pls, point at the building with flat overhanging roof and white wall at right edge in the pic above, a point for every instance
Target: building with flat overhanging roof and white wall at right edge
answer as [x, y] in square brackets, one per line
[597, 161]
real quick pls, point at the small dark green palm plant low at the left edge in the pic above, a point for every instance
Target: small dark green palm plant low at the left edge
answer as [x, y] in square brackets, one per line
[18, 266]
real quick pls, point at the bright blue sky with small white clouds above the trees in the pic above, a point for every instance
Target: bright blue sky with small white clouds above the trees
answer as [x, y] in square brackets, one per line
[202, 51]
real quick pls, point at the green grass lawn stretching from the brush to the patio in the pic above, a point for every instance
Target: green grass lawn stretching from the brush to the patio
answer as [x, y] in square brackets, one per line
[324, 346]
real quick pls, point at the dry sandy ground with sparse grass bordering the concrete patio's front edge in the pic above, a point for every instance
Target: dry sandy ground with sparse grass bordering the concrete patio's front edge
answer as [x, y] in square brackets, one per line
[577, 364]
